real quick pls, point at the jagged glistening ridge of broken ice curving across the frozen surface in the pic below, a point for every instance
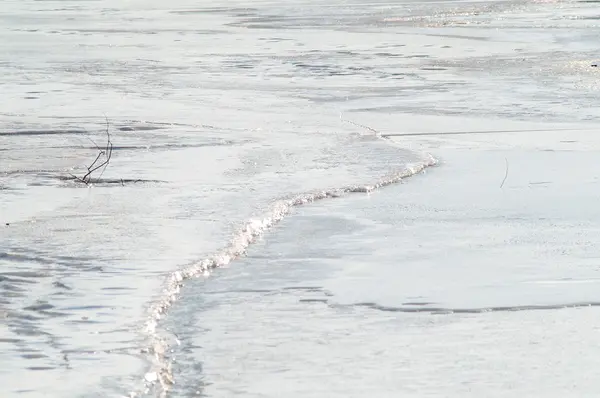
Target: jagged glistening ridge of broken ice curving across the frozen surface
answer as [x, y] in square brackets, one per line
[160, 375]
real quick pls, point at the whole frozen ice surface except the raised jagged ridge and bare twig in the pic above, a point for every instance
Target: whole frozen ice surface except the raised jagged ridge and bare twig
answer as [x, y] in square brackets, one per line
[215, 112]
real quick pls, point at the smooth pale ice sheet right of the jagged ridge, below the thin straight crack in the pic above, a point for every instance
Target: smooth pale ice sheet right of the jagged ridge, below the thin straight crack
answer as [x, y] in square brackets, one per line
[447, 285]
